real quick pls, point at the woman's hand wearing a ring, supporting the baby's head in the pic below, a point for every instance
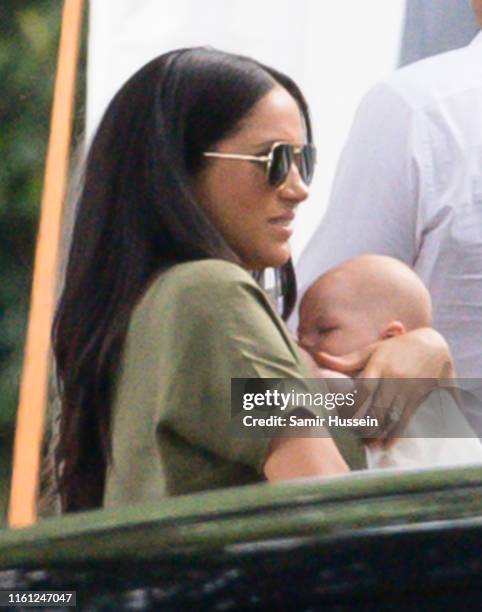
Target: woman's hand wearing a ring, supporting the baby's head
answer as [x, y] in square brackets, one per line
[403, 371]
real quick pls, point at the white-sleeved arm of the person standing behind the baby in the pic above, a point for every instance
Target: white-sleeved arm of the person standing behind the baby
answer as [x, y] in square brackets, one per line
[375, 195]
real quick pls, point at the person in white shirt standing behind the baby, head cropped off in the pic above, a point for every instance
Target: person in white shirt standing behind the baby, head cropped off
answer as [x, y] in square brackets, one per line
[409, 185]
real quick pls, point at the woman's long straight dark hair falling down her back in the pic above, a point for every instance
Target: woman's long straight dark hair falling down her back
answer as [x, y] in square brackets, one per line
[137, 214]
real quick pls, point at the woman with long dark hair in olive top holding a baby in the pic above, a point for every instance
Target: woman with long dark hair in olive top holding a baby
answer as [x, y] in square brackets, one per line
[191, 185]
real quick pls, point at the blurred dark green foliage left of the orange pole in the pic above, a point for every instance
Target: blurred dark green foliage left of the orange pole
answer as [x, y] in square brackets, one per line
[29, 36]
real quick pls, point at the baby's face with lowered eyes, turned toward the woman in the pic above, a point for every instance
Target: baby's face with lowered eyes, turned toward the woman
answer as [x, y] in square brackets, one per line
[331, 322]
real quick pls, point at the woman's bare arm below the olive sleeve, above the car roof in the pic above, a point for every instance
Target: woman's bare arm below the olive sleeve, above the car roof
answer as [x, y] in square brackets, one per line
[291, 458]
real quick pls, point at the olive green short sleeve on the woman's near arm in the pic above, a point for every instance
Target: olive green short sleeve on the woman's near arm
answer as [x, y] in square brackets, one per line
[222, 326]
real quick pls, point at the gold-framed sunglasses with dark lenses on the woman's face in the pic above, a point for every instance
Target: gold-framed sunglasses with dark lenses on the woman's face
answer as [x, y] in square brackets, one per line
[279, 160]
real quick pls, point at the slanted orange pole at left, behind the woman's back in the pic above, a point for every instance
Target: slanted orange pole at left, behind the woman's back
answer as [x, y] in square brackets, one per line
[33, 388]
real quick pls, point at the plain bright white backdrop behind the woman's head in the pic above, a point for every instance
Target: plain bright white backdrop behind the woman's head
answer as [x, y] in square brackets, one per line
[334, 50]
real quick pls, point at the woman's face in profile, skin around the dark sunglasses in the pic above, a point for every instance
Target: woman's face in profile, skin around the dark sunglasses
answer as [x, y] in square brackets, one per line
[255, 219]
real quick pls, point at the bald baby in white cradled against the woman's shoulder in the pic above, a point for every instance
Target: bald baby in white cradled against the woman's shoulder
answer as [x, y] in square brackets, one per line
[371, 298]
